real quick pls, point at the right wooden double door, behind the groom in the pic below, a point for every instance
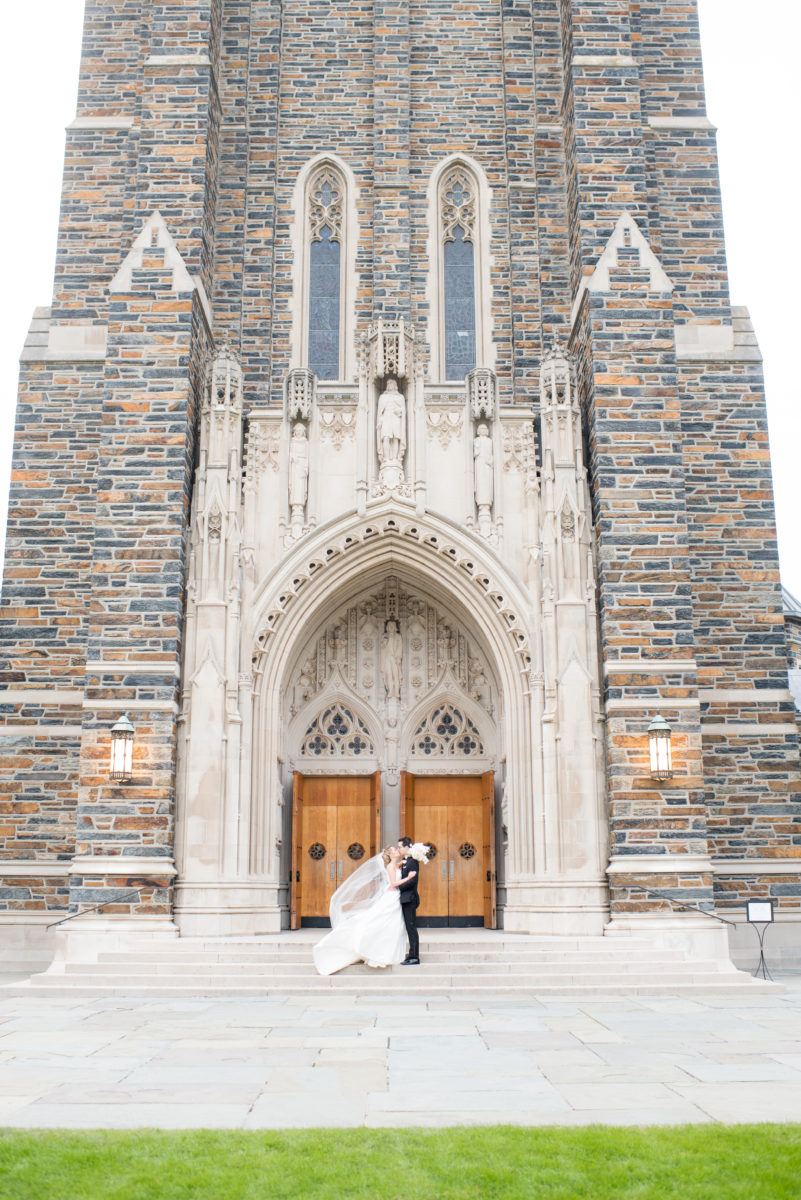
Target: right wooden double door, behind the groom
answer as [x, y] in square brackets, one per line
[456, 817]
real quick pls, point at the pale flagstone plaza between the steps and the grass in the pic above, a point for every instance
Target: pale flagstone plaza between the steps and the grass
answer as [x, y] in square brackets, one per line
[250, 1064]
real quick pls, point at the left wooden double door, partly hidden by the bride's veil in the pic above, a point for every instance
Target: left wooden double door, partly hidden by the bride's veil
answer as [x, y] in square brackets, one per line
[336, 827]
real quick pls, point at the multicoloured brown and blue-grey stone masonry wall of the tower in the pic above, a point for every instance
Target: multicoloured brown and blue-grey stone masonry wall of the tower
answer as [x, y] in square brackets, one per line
[577, 111]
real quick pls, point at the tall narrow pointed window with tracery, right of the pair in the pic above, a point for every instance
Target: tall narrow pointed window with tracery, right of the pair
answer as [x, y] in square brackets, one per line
[457, 215]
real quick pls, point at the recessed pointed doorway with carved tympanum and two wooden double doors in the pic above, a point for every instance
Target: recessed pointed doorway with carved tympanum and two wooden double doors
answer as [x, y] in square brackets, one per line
[392, 697]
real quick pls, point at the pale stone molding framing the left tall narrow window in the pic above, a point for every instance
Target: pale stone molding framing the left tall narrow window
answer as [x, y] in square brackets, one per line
[300, 243]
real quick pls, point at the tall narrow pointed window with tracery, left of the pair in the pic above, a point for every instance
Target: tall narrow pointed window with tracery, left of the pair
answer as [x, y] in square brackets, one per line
[326, 224]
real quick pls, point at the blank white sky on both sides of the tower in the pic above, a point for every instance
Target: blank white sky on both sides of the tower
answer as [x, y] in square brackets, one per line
[751, 58]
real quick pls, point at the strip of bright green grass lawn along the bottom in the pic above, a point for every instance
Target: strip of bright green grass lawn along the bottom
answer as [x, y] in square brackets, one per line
[591, 1163]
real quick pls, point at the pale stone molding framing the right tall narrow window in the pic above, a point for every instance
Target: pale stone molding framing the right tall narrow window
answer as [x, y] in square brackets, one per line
[484, 267]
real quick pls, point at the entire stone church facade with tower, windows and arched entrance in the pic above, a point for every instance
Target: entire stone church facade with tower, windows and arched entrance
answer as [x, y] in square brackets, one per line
[392, 455]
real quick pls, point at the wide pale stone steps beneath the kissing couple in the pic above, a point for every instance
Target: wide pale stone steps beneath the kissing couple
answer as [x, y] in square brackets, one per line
[477, 963]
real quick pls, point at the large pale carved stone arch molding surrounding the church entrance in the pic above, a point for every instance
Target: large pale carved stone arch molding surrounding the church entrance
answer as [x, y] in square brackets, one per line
[437, 557]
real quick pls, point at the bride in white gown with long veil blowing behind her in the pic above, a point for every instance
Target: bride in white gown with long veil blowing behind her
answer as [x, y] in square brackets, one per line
[366, 920]
